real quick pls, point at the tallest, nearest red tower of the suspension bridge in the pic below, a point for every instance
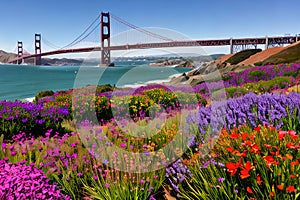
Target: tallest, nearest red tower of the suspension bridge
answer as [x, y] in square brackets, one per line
[105, 38]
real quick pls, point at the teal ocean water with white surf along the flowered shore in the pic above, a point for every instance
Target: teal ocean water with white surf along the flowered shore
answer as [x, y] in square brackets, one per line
[25, 81]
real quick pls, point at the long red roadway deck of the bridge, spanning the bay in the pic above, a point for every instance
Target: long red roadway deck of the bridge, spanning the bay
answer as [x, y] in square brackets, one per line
[243, 41]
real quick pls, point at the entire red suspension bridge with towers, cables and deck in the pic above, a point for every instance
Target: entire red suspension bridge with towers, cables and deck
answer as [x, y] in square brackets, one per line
[105, 47]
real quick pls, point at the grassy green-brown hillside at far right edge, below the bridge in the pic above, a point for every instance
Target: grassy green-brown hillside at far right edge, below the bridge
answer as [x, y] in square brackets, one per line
[291, 54]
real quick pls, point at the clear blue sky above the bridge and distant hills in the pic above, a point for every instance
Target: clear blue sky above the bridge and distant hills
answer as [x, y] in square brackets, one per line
[61, 21]
